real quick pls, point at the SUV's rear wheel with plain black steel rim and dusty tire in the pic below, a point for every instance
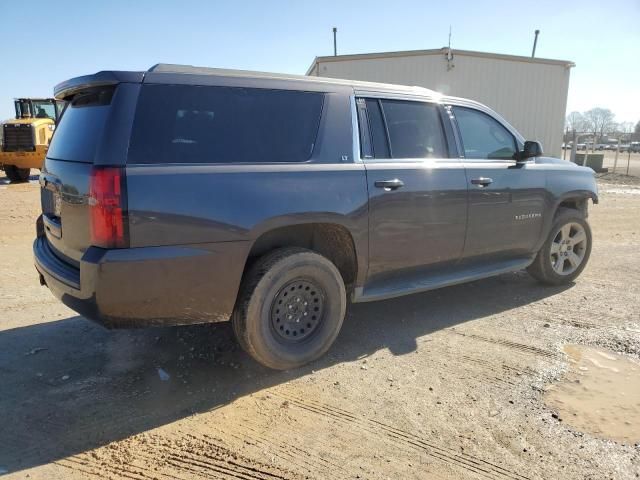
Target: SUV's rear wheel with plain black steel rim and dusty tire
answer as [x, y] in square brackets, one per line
[275, 285]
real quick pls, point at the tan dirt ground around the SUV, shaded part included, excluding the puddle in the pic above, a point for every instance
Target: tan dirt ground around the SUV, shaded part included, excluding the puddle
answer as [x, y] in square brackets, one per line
[448, 384]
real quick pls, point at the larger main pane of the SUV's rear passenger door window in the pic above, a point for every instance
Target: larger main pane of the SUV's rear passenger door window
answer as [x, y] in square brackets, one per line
[415, 129]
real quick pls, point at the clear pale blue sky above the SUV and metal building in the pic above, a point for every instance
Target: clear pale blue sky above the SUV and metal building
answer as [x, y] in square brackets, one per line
[46, 42]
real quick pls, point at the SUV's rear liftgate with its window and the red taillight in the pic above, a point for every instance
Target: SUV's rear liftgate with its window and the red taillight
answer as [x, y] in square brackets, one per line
[72, 208]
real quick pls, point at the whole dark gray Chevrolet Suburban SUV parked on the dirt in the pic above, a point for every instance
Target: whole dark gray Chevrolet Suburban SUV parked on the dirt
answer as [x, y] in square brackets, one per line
[185, 195]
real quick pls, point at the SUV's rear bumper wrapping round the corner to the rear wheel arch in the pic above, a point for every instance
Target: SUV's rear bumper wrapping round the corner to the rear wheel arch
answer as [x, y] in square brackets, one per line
[147, 286]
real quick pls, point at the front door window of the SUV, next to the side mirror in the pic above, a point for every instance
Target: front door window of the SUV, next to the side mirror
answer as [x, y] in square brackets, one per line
[483, 136]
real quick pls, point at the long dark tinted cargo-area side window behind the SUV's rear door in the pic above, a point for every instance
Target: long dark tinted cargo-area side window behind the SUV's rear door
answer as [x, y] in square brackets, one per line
[195, 124]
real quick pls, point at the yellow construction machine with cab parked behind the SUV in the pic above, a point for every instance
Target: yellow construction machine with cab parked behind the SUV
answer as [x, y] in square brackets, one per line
[25, 139]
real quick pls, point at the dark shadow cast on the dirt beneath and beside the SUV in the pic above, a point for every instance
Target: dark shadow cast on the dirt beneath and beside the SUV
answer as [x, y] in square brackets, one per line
[69, 386]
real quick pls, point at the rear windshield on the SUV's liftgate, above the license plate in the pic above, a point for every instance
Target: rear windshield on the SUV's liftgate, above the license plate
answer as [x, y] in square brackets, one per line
[80, 128]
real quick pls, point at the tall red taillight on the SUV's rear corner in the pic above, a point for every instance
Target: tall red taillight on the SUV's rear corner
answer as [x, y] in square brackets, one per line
[107, 205]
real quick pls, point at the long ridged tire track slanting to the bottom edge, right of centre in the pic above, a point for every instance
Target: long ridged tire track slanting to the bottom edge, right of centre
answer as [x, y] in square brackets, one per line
[450, 457]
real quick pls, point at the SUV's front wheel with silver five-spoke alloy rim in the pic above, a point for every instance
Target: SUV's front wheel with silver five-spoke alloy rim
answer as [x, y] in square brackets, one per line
[566, 251]
